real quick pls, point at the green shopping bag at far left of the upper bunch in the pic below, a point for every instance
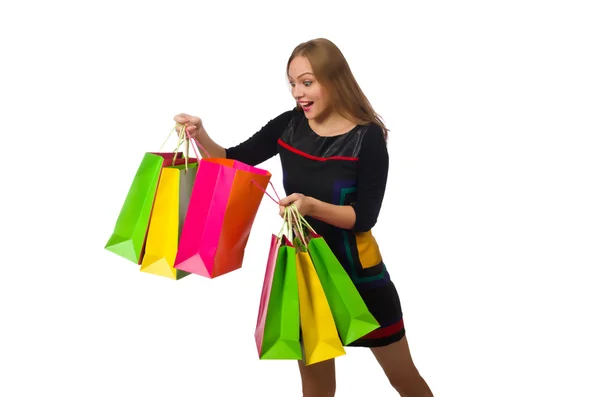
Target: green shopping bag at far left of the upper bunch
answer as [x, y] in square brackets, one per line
[130, 230]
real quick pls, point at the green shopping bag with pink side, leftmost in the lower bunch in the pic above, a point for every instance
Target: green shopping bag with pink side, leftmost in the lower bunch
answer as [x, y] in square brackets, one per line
[277, 332]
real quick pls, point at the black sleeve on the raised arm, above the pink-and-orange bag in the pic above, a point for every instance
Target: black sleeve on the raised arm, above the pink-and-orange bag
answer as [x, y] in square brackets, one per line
[263, 144]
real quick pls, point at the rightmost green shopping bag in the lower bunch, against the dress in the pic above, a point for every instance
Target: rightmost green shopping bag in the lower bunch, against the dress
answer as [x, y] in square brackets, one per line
[352, 317]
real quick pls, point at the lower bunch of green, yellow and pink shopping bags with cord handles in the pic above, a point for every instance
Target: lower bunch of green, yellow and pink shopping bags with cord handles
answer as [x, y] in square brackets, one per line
[309, 307]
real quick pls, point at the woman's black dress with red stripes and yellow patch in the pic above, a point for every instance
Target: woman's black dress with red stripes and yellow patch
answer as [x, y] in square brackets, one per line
[347, 169]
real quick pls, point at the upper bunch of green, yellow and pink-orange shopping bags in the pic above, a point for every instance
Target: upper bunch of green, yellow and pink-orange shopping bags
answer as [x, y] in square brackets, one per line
[185, 215]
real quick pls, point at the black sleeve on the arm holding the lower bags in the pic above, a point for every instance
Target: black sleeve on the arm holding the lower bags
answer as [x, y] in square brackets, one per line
[372, 173]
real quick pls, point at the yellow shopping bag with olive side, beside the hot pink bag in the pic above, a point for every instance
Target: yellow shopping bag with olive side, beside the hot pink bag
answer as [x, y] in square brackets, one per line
[166, 221]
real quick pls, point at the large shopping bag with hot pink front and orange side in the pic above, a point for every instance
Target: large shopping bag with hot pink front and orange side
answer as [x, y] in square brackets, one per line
[222, 209]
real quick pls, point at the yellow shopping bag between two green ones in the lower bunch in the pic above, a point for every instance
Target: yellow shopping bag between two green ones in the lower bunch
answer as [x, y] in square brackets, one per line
[320, 338]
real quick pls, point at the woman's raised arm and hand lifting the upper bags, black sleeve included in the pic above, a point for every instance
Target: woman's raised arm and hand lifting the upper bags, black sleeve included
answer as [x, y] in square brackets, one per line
[258, 148]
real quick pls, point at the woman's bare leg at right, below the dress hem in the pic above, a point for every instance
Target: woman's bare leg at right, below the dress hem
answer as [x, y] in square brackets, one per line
[397, 363]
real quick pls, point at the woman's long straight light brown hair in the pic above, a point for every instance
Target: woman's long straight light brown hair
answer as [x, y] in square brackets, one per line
[333, 72]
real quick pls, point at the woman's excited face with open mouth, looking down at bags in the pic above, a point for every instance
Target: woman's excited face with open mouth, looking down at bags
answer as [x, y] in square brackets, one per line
[307, 91]
